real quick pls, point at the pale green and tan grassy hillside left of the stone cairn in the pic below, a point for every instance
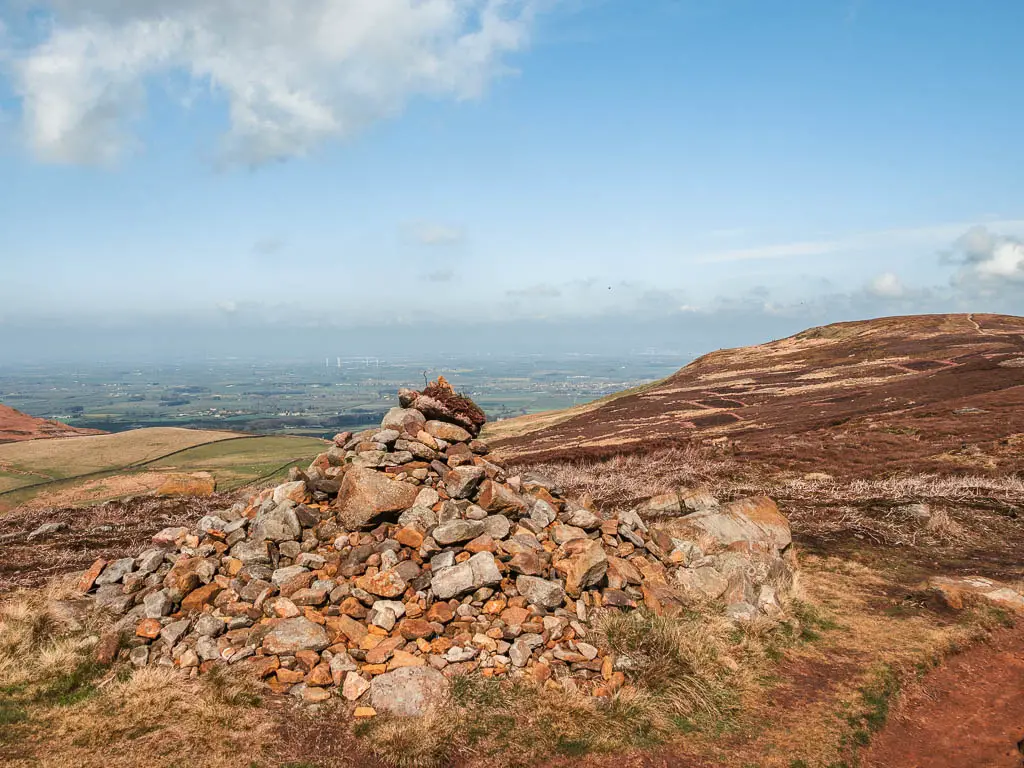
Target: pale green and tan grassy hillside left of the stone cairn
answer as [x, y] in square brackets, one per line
[98, 468]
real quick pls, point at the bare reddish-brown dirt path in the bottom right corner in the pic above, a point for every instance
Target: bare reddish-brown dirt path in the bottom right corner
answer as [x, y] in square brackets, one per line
[967, 714]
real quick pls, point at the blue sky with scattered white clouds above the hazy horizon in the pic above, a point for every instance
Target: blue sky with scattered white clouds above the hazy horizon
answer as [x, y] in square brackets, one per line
[526, 176]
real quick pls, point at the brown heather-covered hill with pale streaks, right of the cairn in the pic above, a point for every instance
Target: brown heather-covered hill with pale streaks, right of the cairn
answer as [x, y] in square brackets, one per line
[923, 393]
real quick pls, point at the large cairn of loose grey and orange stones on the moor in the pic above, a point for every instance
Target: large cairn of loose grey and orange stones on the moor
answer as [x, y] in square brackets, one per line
[404, 557]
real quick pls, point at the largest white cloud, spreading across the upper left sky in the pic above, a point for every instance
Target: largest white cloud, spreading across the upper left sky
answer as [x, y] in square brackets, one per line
[293, 73]
